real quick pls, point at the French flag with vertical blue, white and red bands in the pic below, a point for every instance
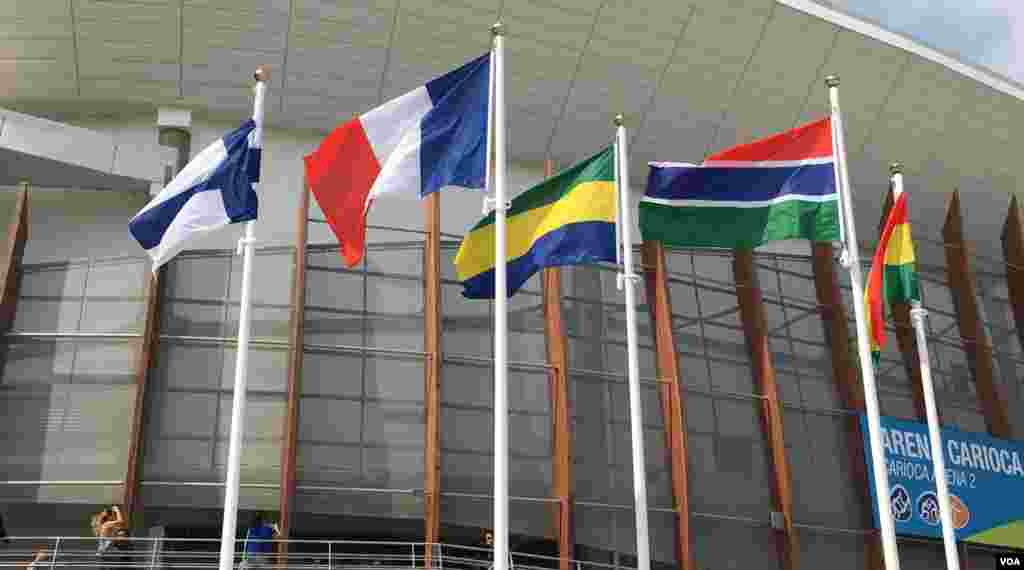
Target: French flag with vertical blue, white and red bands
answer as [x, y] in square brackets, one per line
[433, 138]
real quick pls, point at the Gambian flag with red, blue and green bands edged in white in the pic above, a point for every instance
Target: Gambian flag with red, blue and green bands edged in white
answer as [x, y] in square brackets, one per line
[780, 188]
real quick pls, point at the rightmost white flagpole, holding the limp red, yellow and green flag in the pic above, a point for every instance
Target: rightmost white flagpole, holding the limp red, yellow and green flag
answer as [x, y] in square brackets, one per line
[918, 316]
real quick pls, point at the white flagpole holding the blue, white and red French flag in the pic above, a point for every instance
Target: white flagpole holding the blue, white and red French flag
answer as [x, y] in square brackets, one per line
[501, 312]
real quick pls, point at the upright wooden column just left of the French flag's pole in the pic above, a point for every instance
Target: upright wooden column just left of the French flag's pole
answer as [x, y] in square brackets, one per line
[433, 375]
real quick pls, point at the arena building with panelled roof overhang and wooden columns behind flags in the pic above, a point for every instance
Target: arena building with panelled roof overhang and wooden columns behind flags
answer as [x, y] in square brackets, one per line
[370, 402]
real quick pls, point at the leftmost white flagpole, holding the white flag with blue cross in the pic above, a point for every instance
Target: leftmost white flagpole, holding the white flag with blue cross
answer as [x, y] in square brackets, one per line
[241, 363]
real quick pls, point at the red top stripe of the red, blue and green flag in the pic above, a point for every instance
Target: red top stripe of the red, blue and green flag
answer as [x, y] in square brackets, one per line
[813, 141]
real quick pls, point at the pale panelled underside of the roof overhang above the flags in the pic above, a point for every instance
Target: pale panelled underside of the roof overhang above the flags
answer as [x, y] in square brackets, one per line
[692, 77]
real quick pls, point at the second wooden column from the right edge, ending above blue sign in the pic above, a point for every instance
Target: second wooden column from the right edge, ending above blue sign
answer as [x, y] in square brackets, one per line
[976, 342]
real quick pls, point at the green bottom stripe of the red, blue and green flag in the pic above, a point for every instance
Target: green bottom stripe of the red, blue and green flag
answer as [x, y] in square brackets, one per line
[712, 227]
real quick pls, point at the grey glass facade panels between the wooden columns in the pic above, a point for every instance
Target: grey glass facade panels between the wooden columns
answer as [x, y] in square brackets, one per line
[69, 390]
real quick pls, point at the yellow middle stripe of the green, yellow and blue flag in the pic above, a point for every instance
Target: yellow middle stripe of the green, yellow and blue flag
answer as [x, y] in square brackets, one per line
[590, 202]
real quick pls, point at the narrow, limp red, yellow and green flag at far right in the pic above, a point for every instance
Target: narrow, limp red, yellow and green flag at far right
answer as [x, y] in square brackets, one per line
[893, 272]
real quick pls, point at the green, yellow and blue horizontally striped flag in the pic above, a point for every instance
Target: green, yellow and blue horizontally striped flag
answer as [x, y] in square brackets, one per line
[569, 220]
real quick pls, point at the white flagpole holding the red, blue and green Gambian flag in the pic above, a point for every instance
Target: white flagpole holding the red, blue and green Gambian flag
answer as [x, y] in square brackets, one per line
[851, 259]
